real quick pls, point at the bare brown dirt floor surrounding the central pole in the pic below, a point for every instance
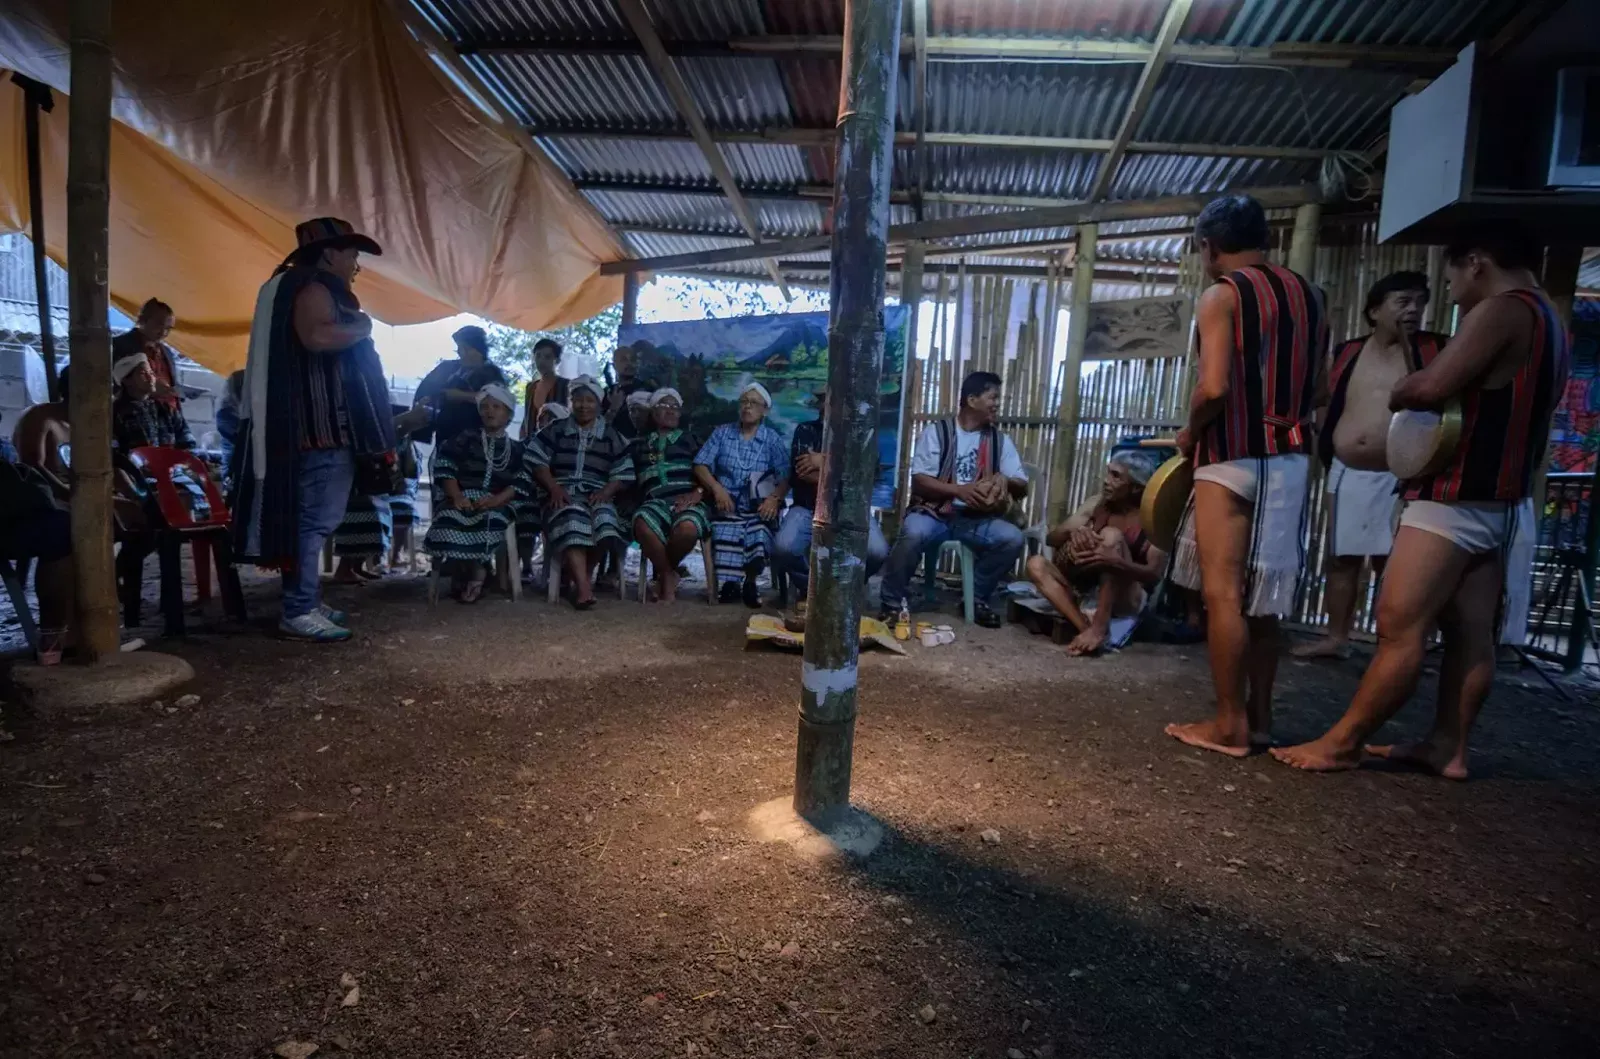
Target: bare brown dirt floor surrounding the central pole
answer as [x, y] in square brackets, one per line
[518, 831]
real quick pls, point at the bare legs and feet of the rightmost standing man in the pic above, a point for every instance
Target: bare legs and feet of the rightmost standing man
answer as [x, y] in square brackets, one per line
[1431, 581]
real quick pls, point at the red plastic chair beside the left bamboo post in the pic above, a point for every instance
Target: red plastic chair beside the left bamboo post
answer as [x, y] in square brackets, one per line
[191, 510]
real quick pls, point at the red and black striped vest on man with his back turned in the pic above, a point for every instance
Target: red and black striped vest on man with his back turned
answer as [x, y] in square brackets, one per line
[1281, 338]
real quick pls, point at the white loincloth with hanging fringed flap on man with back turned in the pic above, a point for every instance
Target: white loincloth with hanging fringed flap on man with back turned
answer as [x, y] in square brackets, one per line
[1279, 494]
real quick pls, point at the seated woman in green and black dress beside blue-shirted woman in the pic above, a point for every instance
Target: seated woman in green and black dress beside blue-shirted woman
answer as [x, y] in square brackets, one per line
[673, 518]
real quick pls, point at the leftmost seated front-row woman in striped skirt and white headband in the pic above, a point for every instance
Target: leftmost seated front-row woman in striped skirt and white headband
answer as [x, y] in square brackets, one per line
[476, 481]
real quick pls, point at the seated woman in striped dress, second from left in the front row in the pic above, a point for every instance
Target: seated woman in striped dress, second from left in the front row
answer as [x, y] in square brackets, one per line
[582, 463]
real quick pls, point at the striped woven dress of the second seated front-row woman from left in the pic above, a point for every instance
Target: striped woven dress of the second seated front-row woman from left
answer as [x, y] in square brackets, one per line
[583, 462]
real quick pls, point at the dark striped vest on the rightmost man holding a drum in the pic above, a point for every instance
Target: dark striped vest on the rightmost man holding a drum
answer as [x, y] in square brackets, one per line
[1505, 431]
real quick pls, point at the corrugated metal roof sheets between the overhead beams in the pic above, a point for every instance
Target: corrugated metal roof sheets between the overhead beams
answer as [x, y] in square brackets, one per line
[614, 90]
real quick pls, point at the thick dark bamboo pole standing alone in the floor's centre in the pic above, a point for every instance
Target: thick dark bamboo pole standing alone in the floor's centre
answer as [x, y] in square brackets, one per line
[855, 364]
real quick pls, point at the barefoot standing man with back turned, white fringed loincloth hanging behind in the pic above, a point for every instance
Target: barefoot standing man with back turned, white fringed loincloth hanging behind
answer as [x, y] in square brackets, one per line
[1263, 343]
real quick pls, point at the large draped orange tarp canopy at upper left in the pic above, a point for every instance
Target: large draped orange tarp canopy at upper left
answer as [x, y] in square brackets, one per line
[238, 121]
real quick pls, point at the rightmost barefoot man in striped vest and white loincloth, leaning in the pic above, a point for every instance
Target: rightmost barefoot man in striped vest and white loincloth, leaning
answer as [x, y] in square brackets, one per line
[1506, 369]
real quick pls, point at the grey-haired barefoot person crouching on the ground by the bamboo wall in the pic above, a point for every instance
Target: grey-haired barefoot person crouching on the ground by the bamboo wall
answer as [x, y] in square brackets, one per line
[1103, 564]
